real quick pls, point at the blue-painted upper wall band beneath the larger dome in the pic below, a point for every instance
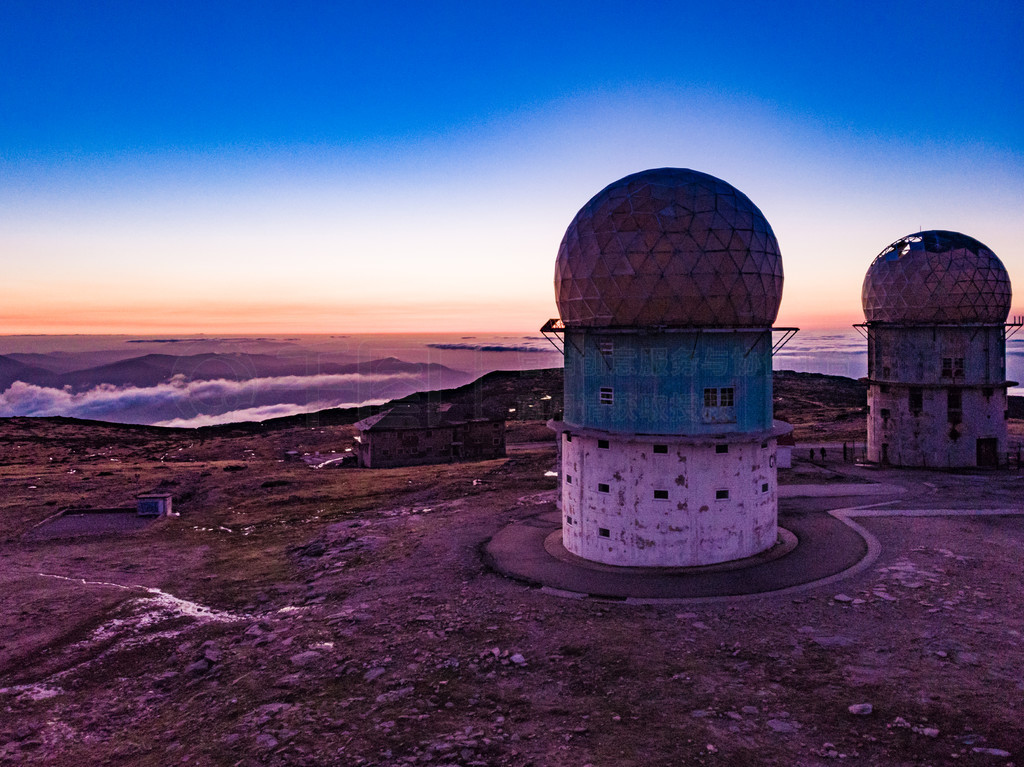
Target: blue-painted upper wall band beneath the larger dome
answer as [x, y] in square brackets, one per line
[658, 381]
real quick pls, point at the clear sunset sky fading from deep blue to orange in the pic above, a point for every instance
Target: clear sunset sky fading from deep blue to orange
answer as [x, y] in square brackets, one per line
[375, 167]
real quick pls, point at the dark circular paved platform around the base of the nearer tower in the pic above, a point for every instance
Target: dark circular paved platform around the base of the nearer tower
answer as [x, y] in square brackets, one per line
[812, 548]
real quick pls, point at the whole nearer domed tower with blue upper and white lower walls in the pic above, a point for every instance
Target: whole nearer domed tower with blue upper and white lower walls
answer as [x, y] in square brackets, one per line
[668, 283]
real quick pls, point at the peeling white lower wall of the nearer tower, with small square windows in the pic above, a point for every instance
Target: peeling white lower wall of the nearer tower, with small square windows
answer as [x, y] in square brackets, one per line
[693, 525]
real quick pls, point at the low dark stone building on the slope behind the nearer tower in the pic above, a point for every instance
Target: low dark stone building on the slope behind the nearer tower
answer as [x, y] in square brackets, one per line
[417, 435]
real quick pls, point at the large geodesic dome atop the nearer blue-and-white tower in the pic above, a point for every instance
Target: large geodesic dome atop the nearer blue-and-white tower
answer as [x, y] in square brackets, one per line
[669, 247]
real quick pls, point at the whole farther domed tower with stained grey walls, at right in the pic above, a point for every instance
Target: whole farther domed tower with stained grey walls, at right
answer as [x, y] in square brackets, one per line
[936, 305]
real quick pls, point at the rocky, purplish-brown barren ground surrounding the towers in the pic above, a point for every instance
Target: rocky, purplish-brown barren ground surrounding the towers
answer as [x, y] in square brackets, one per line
[294, 616]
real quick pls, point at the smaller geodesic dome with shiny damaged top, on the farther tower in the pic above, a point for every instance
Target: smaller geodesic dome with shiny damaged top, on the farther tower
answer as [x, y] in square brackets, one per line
[936, 277]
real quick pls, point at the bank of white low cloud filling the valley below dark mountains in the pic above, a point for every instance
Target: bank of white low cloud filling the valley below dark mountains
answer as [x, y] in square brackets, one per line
[199, 403]
